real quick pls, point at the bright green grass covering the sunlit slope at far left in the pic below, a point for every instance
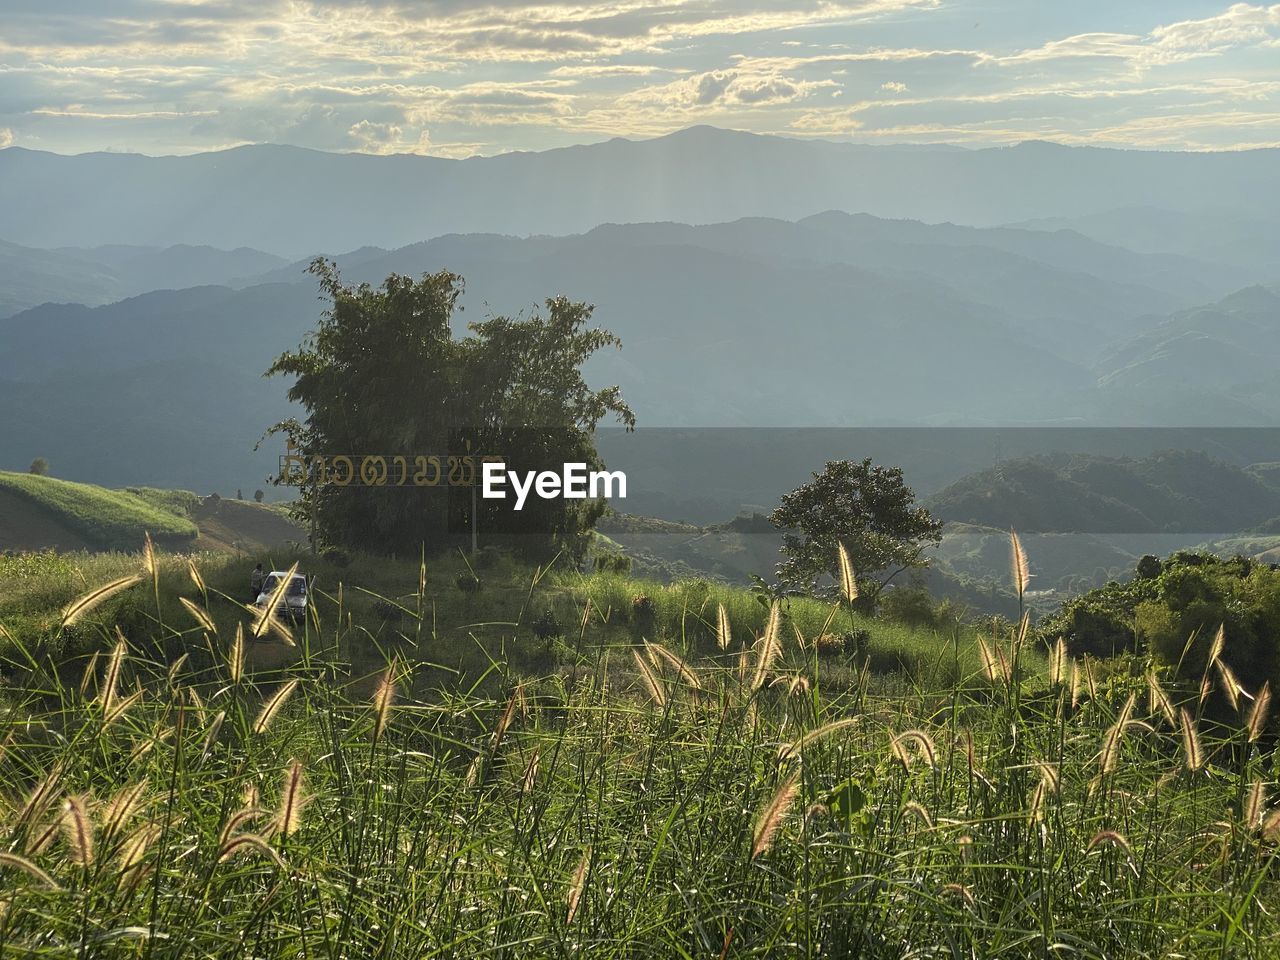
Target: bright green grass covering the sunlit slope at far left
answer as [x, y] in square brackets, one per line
[103, 519]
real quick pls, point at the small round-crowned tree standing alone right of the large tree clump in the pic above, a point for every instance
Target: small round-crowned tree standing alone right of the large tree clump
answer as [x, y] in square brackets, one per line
[863, 506]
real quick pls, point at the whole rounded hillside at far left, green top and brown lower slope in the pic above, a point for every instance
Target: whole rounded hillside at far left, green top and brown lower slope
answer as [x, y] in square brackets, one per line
[102, 519]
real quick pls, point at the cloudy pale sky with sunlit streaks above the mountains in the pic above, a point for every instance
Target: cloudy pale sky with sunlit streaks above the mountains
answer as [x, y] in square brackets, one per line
[455, 79]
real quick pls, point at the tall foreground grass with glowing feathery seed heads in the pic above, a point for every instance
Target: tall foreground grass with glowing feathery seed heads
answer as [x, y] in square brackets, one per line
[413, 774]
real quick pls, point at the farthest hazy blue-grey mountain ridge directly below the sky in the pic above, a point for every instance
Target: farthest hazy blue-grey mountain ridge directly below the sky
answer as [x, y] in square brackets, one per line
[291, 202]
